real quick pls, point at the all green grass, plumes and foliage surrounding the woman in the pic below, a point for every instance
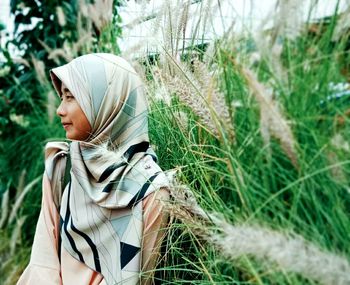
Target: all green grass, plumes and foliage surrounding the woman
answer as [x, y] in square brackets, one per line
[256, 127]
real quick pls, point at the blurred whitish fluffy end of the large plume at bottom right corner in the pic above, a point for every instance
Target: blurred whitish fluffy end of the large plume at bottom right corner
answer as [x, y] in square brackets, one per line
[291, 253]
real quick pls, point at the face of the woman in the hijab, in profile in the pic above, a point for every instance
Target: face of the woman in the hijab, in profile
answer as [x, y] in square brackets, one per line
[72, 116]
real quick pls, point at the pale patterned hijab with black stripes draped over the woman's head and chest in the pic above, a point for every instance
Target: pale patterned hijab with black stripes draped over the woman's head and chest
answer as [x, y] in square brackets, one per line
[112, 171]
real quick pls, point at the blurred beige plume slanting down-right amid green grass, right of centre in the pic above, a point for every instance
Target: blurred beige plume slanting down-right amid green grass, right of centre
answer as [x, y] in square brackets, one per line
[272, 122]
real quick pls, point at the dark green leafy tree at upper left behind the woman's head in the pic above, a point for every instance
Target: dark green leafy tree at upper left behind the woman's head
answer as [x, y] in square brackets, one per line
[46, 34]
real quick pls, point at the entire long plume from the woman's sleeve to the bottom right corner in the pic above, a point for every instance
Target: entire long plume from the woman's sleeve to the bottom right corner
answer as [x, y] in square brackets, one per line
[291, 252]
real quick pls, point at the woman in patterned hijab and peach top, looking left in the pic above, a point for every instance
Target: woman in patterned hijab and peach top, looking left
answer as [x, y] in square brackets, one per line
[102, 224]
